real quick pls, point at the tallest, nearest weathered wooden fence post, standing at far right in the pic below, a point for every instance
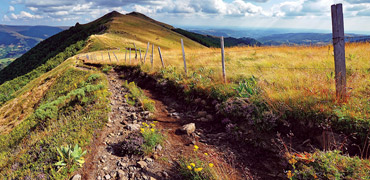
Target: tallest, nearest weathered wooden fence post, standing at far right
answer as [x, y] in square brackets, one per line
[339, 50]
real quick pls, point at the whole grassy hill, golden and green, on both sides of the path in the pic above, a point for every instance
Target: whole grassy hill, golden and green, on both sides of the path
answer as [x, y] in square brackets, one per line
[49, 99]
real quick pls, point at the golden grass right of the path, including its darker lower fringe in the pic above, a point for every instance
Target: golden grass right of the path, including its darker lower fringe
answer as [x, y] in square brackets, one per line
[295, 82]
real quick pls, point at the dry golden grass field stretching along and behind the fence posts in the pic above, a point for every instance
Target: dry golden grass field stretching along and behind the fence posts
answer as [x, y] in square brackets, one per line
[291, 77]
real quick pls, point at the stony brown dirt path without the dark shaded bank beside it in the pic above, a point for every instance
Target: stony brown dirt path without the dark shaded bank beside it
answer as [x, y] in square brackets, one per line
[104, 162]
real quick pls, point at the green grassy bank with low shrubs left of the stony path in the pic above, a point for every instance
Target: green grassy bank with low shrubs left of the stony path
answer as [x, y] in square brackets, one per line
[73, 107]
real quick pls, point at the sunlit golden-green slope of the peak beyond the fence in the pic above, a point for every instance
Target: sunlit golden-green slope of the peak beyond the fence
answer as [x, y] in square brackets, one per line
[125, 30]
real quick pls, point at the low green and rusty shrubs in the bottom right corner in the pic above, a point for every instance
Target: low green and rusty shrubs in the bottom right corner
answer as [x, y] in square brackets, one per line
[327, 165]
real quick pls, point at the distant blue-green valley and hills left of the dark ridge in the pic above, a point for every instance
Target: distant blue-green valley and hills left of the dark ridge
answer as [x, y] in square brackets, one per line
[16, 40]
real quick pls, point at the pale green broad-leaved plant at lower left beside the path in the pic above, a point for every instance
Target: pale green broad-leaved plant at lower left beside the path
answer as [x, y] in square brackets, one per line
[69, 158]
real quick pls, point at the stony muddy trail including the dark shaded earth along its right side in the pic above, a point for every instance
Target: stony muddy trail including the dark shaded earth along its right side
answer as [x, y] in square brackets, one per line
[233, 160]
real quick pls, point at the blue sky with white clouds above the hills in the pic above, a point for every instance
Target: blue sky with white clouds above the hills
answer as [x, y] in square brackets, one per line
[299, 14]
